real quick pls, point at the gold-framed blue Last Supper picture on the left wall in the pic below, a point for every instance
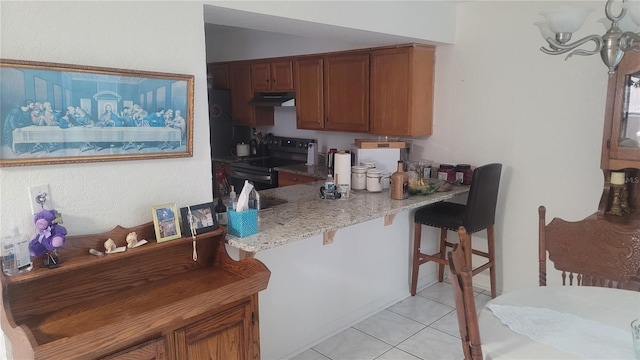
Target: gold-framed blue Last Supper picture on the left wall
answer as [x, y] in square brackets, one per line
[54, 113]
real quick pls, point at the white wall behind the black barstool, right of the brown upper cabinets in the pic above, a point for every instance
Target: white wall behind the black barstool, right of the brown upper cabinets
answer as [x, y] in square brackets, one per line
[500, 99]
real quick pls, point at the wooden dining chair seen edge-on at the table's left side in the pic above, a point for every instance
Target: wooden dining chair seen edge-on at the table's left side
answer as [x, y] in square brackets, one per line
[461, 276]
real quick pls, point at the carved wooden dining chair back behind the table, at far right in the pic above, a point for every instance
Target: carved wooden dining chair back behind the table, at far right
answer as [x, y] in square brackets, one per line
[590, 252]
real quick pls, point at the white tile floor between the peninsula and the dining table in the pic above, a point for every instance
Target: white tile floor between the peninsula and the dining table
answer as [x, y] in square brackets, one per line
[424, 326]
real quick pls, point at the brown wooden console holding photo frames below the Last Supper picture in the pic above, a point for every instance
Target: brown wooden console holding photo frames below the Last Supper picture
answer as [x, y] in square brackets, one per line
[150, 302]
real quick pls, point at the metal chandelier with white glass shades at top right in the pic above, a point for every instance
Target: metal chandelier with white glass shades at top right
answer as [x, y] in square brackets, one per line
[621, 36]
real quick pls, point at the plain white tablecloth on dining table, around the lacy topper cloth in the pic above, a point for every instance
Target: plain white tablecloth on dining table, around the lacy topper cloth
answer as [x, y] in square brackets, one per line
[609, 307]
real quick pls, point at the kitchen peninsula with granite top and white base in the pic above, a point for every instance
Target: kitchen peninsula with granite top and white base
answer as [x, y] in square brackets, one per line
[333, 263]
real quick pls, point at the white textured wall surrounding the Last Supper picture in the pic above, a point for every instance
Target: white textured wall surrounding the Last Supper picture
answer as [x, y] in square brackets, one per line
[144, 35]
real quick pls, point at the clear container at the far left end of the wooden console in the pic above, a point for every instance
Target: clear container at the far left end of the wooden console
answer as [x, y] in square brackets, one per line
[15, 253]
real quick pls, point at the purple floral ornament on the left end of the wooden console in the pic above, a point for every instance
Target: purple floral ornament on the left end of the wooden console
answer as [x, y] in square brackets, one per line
[51, 236]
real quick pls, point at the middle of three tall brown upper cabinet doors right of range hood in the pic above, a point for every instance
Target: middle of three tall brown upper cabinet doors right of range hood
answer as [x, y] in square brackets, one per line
[346, 92]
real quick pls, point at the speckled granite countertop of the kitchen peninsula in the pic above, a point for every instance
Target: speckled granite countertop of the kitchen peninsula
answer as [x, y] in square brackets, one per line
[306, 214]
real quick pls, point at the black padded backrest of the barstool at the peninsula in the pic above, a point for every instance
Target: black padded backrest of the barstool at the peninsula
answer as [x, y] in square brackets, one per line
[480, 211]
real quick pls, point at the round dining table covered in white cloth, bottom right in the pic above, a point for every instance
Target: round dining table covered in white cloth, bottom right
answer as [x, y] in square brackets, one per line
[560, 322]
